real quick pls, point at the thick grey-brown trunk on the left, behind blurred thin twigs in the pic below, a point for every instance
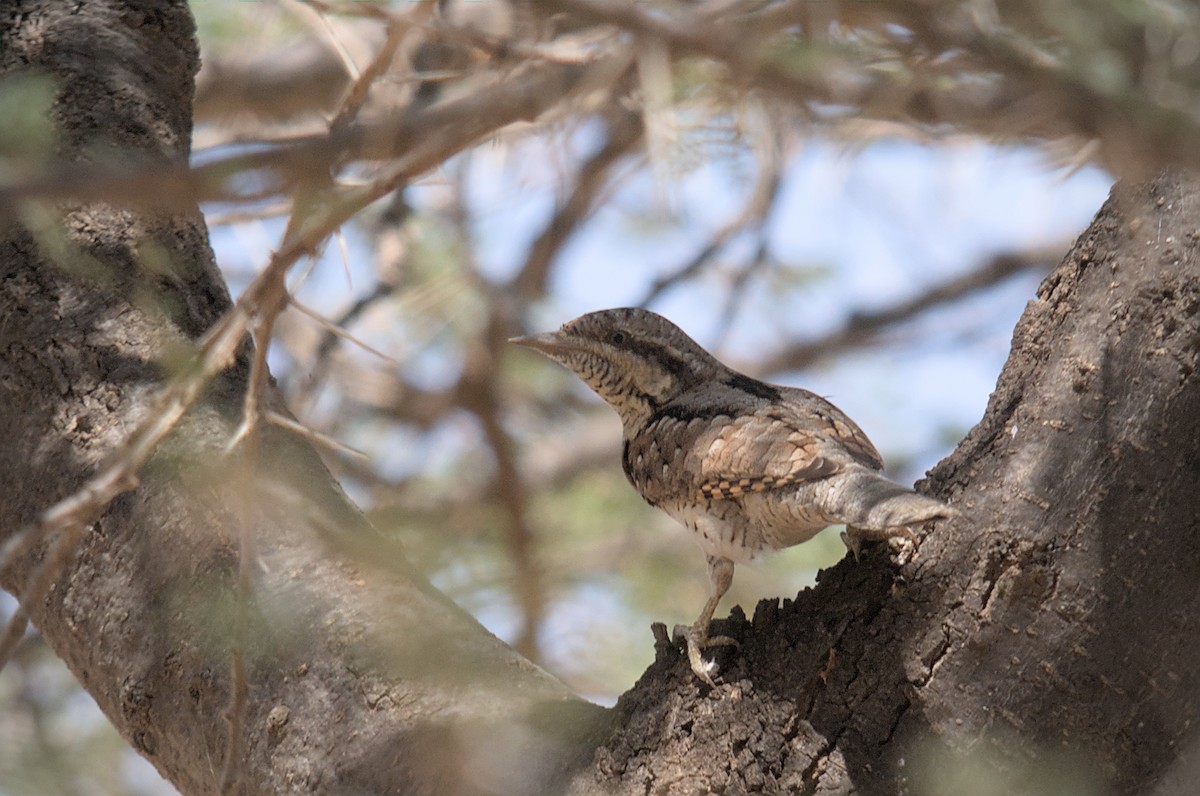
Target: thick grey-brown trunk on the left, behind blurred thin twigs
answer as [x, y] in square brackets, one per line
[361, 678]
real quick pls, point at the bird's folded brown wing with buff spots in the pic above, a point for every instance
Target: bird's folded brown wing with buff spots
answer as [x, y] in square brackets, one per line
[802, 439]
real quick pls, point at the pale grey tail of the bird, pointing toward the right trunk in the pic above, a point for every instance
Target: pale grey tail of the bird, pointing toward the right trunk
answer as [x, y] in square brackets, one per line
[868, 501]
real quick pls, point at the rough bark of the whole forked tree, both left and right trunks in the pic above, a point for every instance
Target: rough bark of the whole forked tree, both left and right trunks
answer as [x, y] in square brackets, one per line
[1055, 623]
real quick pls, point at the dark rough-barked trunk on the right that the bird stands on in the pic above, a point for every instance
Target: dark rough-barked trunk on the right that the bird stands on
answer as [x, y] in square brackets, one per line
[1047, 641]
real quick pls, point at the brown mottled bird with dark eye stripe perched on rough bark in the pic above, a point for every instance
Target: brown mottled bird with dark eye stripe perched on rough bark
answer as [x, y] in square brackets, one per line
[747, 466]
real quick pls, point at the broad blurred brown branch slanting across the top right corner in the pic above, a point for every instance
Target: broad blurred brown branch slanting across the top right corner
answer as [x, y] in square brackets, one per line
[957, 71]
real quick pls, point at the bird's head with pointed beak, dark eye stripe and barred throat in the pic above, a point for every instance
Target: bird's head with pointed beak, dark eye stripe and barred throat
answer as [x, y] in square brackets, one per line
[634, 360]
